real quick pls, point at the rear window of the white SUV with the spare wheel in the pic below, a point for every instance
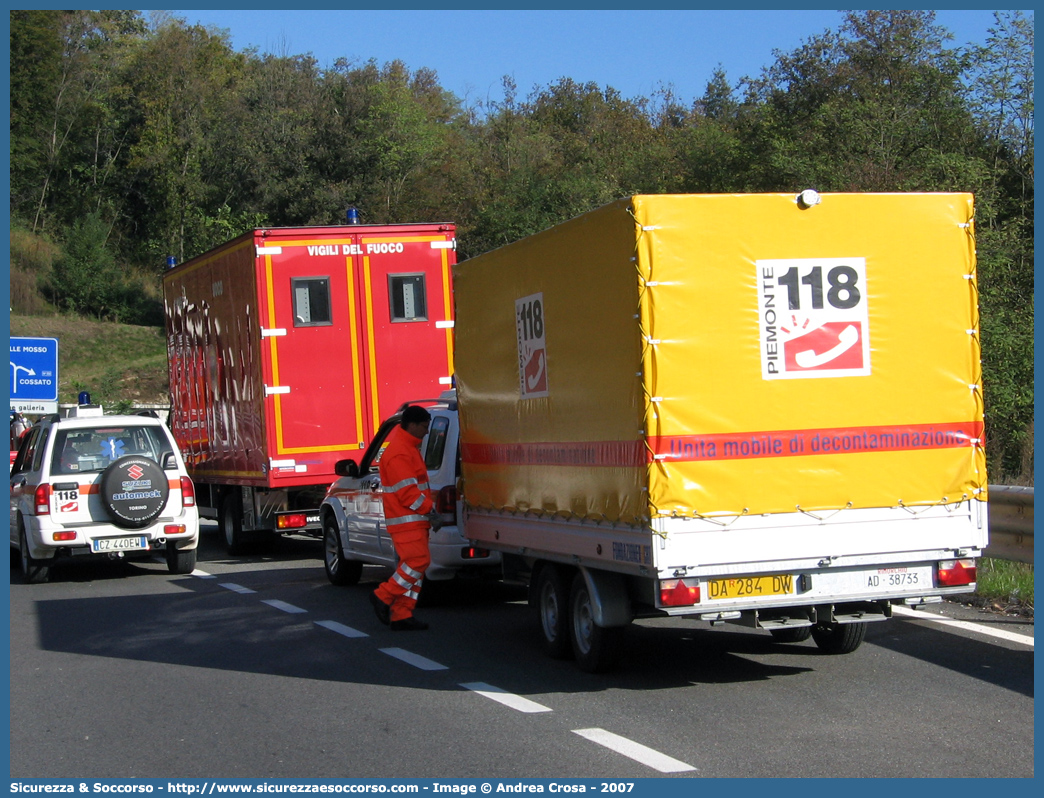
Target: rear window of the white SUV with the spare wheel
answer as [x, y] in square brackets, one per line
[77, 452]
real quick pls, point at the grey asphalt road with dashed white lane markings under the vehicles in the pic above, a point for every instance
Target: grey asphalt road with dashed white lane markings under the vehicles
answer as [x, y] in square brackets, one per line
[256, 667]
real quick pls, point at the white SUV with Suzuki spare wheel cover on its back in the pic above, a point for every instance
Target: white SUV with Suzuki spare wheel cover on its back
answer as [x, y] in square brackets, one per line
[101, 485]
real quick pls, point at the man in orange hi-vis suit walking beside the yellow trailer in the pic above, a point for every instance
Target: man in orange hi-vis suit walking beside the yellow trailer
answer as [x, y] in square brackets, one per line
[409, 513]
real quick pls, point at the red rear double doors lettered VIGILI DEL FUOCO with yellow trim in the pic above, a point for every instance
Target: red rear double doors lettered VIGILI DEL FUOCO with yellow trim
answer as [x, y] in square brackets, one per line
[357, 322]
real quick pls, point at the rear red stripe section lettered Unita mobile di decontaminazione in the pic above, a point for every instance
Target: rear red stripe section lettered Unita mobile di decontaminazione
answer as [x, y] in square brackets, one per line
[795, 443]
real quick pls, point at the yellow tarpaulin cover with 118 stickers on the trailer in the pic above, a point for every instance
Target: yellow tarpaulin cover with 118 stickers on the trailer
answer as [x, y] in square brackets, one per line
[721, 355]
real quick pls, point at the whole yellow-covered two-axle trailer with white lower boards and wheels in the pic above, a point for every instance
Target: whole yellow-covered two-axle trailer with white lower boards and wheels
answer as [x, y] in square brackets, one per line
[764, 409]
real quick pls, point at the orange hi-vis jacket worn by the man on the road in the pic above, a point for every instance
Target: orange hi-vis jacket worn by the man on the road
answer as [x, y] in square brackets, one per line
[405, 478]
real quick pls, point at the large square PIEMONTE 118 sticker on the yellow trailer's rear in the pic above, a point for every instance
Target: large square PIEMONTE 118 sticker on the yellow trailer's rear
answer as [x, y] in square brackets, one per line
[814, 318]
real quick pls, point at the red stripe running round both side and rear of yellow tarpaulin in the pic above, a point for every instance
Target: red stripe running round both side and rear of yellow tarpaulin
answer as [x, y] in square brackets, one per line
[787, 443]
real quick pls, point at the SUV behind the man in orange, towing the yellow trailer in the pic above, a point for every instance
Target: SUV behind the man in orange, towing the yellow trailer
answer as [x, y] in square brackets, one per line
[353, 512]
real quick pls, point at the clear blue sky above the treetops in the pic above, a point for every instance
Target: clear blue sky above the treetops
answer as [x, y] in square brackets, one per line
[635, 53]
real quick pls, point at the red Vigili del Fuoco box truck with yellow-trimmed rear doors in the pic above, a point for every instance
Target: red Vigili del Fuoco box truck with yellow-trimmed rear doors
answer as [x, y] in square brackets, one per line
[287, 348]
